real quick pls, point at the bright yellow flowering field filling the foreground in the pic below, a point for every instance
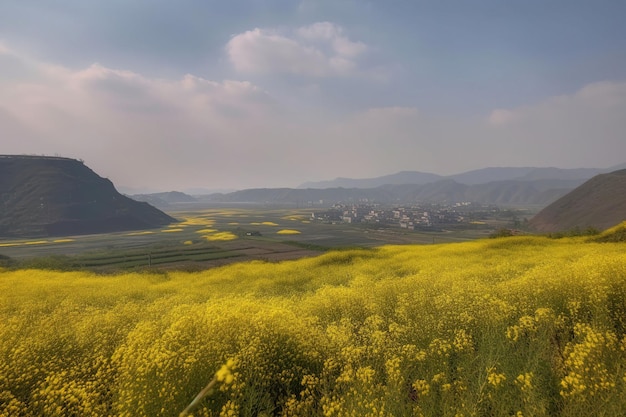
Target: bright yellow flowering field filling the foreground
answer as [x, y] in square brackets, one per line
[519, 326]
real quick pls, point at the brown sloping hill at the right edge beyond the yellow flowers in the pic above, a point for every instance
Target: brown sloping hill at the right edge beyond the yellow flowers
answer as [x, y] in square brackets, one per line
[599, 203]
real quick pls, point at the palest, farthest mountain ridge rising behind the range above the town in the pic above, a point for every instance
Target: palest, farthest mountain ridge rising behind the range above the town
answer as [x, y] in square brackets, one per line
[404, 177]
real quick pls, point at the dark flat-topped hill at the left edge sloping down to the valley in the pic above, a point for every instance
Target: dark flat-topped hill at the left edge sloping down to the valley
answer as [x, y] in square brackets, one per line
[53, 196]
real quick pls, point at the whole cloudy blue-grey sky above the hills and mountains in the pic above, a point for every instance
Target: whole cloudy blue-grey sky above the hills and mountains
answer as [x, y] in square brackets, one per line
[173, 95]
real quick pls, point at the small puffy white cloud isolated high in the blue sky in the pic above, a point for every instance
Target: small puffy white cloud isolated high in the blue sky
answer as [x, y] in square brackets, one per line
[317, 50]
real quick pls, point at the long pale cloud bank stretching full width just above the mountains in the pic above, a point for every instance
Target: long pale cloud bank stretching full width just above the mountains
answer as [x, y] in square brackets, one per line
[191, 131]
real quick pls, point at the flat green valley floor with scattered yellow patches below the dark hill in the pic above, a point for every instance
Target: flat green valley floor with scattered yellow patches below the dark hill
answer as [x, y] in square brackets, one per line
[213, 237]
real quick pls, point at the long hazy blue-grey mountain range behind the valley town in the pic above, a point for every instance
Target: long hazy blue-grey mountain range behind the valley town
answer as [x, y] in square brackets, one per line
[496, 185]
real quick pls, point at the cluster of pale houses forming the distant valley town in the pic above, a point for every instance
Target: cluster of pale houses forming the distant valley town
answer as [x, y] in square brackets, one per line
[411, 217]
